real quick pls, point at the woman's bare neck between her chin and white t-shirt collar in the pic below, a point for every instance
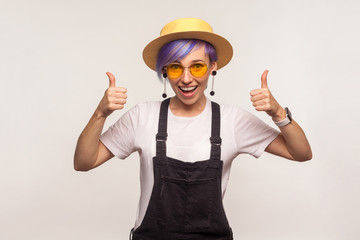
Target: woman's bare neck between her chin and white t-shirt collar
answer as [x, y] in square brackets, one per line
[179, 108]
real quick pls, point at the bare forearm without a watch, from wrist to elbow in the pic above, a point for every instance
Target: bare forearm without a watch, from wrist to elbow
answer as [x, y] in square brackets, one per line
[87, 150]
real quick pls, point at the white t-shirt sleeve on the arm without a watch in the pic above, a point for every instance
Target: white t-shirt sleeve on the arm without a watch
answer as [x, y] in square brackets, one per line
[120, 137]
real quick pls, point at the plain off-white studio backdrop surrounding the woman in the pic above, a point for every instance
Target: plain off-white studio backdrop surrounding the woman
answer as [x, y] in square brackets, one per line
[53, 59]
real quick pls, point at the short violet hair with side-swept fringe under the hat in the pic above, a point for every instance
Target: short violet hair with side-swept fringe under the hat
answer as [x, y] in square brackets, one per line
[178, 49]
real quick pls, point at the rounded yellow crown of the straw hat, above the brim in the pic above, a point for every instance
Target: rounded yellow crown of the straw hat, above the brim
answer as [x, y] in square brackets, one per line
[186, 25]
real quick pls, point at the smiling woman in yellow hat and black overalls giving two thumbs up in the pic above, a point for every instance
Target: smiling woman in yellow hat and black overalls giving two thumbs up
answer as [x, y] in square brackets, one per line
[186, 143]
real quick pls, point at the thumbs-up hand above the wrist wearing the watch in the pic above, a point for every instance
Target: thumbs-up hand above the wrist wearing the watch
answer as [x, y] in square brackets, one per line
[263, 100]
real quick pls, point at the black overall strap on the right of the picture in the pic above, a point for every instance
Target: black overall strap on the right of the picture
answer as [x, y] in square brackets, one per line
[215, 132]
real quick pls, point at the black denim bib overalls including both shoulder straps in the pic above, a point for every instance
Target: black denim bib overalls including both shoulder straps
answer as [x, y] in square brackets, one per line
[186, 200]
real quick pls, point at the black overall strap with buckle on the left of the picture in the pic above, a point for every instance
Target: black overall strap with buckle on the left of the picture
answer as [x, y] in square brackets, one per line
[161, 136]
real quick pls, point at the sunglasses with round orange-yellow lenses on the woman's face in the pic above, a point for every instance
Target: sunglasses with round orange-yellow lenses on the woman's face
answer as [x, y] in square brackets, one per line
[176, 70]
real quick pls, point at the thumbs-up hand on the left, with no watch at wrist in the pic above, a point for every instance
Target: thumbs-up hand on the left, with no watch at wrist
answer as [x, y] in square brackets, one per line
[114, 98]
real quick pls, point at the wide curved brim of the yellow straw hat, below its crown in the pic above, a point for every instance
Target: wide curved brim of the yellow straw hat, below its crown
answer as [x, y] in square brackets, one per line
[222, 46]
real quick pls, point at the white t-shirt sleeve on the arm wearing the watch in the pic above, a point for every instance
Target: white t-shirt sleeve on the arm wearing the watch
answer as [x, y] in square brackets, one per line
[252, 135]
